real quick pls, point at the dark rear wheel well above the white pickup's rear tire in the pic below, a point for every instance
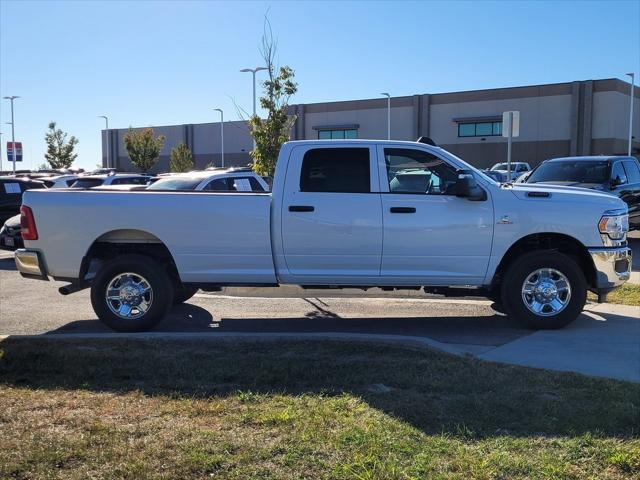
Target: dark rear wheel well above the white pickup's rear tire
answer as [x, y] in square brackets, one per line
[124, 242]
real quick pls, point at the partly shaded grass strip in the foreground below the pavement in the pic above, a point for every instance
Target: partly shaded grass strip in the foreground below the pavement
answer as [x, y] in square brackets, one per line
[288, 410]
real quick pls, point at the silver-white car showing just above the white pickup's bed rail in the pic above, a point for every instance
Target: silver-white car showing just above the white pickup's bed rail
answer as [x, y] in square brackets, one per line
[218, 180]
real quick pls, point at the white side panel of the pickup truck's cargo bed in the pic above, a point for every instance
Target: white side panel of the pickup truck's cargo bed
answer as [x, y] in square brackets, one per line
[213, 237]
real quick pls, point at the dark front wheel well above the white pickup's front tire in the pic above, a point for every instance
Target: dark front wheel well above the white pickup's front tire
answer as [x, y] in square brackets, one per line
[548, 241]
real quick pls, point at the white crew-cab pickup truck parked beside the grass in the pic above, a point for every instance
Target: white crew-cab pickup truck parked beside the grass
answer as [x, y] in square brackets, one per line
[351, 213]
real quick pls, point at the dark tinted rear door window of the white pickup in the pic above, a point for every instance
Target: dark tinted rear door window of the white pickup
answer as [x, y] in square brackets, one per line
[336, 170]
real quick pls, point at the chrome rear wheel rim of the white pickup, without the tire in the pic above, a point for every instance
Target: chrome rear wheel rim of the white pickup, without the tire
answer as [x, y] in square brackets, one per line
[129, 295]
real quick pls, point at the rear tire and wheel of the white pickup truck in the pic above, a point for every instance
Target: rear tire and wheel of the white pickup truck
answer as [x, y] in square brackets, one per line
[131, 293]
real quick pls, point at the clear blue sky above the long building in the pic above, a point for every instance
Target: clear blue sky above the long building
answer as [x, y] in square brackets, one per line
[166, 62]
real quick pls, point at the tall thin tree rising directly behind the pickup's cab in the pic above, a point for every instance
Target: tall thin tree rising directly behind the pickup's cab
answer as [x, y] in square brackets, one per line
[270, 133]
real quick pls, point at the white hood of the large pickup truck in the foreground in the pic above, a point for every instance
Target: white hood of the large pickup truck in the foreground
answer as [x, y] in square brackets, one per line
[564, 193]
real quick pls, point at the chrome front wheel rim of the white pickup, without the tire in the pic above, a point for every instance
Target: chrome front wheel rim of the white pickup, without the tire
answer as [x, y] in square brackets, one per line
[546, 292]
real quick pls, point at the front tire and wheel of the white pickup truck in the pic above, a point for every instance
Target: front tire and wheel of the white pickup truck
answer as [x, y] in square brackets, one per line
[544, 289]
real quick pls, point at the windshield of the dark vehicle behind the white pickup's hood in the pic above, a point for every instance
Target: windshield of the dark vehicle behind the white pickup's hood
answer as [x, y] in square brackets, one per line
[571, 171]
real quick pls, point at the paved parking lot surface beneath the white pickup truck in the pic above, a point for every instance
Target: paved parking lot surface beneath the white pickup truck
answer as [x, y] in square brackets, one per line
[457, 326]
